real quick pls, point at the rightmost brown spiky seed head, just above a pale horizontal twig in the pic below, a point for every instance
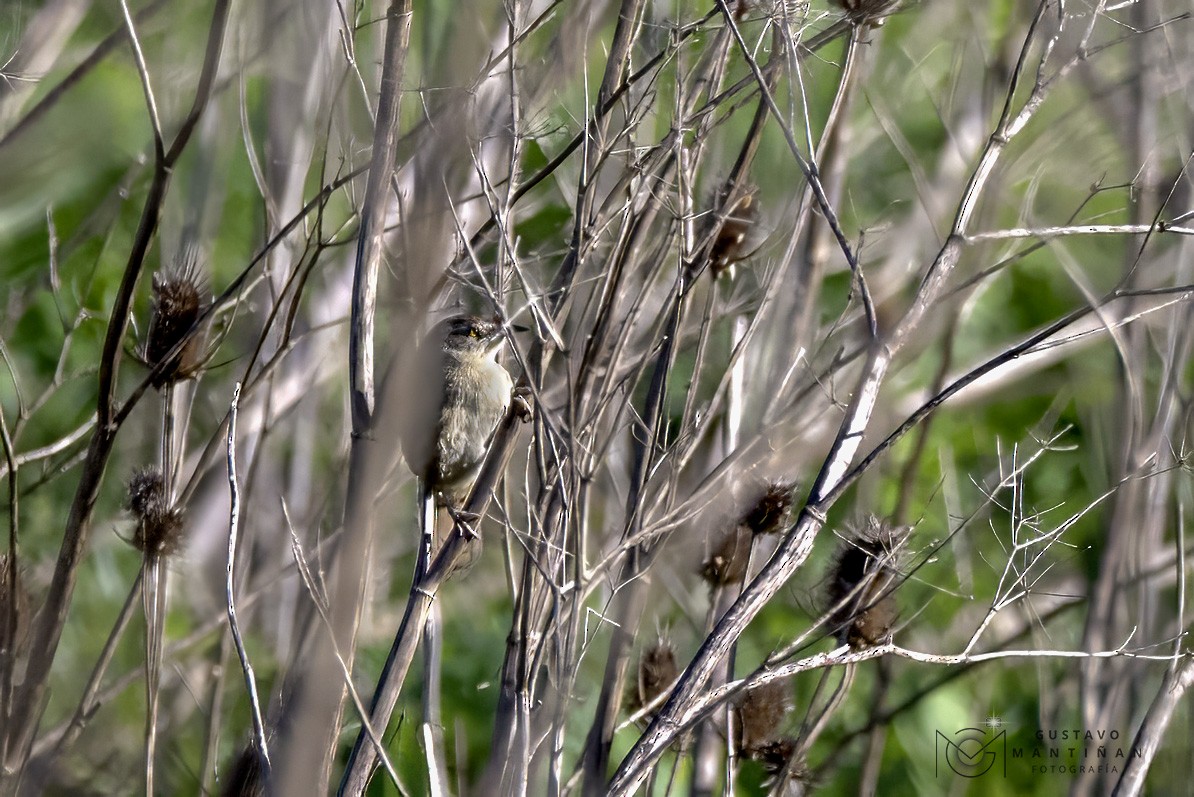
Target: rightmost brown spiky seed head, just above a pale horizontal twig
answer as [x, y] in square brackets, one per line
[861, 586]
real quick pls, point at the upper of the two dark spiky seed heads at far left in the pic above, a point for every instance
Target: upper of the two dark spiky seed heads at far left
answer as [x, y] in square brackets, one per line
[179, 302]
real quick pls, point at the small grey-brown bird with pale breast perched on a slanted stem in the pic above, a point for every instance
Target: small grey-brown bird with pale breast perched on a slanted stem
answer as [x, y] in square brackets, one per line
[459, 396]
